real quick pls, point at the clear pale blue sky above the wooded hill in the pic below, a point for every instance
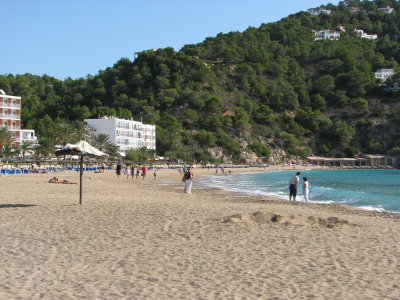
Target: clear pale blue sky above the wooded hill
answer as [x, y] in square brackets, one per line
[74, 38]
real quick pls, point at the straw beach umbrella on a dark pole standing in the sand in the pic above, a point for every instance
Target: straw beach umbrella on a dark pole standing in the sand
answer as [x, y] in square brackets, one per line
[81, 149]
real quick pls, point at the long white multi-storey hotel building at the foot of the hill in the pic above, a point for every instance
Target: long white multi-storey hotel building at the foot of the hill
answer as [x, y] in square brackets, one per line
[127, 134]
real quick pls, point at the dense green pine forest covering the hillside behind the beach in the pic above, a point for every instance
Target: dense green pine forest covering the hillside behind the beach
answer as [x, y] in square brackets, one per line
[267, 88]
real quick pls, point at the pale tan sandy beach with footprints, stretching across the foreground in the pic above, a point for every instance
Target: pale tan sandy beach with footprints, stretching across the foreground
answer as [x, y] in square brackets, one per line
[149, 240]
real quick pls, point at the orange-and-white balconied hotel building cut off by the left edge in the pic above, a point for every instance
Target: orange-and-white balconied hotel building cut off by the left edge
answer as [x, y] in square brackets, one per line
[10, 117]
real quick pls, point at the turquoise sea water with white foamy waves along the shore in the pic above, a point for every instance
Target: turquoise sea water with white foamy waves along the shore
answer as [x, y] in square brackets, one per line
[368, 189]
